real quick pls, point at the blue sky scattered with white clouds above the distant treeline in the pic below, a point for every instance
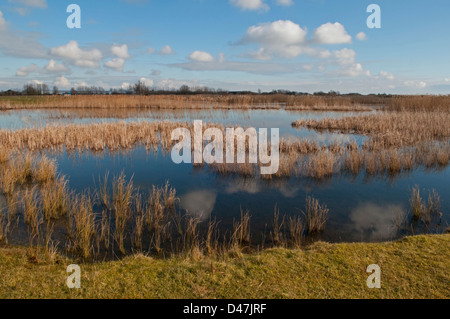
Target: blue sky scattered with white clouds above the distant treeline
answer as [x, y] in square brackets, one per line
[299, 45]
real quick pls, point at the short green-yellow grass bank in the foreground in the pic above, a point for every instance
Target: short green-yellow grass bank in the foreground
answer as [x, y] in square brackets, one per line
[415, 267]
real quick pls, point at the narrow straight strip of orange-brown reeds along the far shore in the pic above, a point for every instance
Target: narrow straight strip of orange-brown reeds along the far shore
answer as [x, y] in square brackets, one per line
[225, 101]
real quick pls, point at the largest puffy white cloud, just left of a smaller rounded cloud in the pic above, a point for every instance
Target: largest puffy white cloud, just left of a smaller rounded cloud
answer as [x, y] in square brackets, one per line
[283, 38]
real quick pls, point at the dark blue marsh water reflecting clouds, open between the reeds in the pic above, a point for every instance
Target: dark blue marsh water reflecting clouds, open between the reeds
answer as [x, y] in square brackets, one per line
[361, 206]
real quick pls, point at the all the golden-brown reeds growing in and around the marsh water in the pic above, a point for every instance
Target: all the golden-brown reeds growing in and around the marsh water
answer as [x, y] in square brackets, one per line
[113, 217]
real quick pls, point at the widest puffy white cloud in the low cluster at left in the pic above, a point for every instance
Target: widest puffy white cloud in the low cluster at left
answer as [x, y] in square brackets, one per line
[76, 56]
